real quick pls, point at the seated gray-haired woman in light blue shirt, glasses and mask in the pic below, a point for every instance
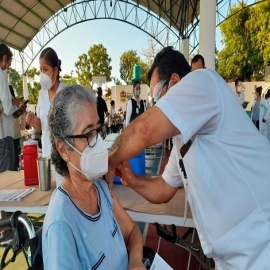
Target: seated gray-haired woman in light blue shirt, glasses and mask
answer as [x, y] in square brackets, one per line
[85, 227]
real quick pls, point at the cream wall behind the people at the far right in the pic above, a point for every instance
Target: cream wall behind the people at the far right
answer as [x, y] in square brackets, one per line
[250, 90]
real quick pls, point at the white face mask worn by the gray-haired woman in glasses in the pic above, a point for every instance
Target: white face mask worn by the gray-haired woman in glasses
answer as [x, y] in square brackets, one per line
[94, 160]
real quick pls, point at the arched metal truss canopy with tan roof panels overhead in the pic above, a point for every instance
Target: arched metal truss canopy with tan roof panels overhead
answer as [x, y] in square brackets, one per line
[29, 25]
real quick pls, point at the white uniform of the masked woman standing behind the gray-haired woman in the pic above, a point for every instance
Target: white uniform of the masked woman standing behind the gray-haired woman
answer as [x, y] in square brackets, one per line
[43, 107]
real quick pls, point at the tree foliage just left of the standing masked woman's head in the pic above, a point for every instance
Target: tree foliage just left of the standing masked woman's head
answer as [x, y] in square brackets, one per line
[32, 85]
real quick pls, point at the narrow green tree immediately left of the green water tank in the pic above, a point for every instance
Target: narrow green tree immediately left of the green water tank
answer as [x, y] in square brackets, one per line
[127, 61]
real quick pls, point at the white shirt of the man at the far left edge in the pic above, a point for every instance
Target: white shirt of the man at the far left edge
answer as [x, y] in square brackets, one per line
[6, 124]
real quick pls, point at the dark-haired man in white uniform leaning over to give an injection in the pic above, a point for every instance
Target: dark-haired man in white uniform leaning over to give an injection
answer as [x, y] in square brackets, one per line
[225, 171]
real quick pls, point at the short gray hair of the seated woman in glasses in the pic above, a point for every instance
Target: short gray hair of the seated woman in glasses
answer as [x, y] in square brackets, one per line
[66, 104]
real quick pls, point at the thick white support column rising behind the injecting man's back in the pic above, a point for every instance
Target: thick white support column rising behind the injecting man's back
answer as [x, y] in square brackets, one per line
[207, 36]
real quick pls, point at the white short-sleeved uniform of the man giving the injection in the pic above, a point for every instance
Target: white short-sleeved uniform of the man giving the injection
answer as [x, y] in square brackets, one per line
[227, 166]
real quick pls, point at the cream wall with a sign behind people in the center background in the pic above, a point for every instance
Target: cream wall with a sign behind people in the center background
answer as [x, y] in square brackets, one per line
[128, 89]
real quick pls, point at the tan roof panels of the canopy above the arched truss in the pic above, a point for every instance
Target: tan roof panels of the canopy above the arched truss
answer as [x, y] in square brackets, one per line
[21, 20]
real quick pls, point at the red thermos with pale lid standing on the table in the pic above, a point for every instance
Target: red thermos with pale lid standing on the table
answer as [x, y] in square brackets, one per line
[30, 155]
